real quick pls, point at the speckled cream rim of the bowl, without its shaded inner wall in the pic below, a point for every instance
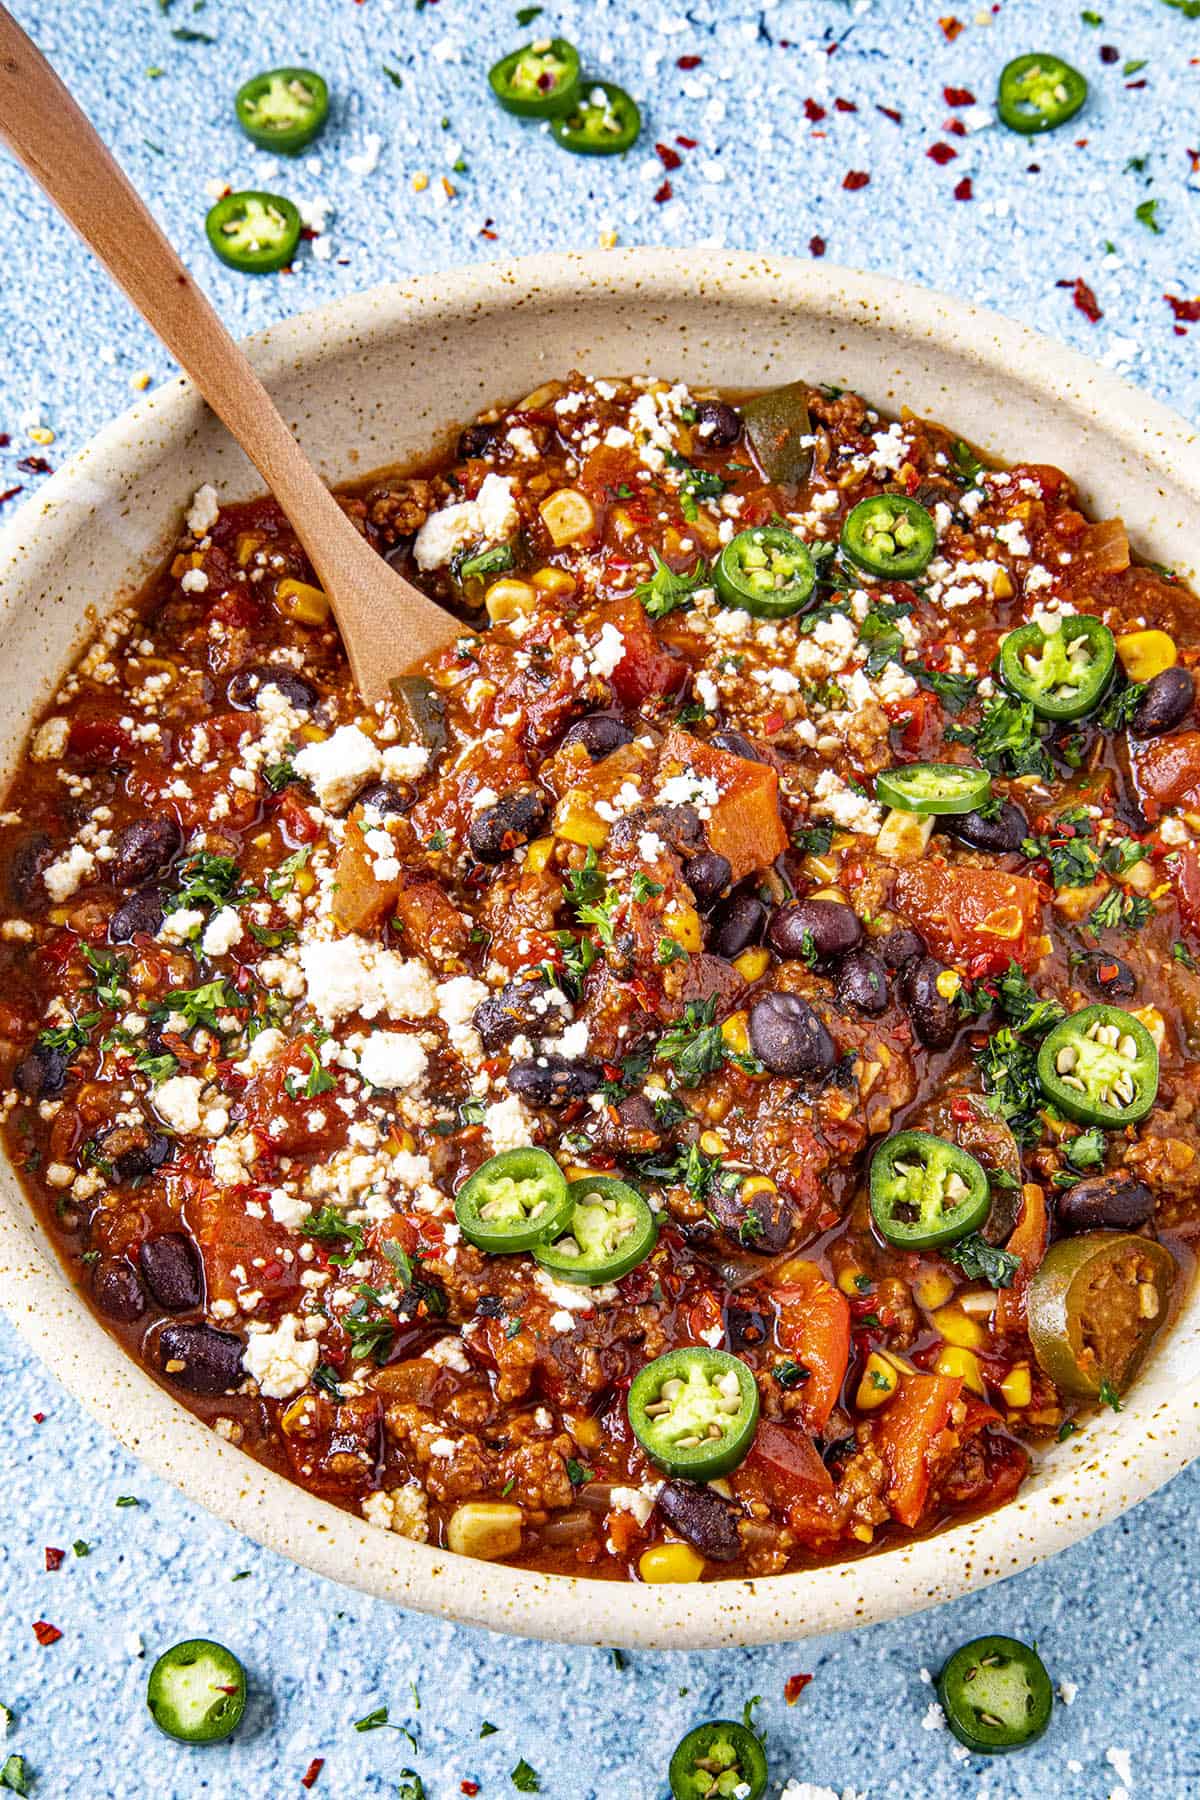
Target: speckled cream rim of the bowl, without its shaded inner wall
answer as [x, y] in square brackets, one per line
[1118, 1462]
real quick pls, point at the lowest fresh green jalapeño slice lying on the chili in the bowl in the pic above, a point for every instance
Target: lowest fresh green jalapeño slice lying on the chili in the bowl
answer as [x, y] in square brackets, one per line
[695, 1412]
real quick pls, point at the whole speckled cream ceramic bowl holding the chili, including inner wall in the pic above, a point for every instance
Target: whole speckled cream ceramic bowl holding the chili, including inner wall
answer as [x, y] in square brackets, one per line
[379, 379]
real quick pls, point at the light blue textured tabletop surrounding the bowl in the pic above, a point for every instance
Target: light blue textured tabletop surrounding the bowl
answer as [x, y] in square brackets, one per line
[1115, 1615]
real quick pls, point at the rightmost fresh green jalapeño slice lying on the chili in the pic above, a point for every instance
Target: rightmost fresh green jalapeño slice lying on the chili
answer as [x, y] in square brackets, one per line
[1100, 1068]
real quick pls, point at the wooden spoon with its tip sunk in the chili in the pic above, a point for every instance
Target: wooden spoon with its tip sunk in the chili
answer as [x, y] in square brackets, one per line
[386, 622]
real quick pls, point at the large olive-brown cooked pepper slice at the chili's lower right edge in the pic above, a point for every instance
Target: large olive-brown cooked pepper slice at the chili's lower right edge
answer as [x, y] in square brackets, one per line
[1095, 1306]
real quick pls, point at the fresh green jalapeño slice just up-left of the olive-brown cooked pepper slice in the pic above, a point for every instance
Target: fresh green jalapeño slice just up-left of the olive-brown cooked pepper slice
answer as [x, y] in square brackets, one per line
[926, 1191]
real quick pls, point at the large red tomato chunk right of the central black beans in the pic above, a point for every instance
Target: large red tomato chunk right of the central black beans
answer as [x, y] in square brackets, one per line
[981, 919]
